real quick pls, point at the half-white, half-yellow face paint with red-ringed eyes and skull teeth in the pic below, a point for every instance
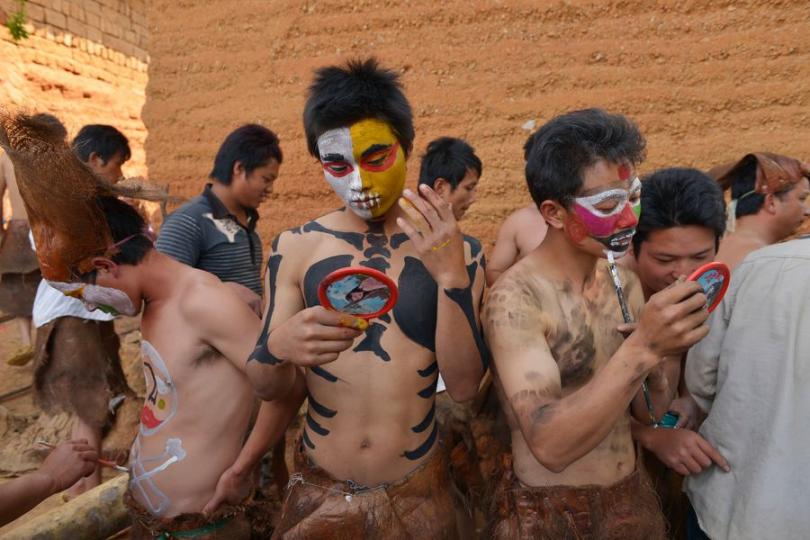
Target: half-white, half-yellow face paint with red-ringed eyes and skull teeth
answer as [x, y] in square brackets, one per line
[365, 165]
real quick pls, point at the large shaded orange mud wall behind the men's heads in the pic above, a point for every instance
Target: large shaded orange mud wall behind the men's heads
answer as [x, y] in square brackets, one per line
[706, 80]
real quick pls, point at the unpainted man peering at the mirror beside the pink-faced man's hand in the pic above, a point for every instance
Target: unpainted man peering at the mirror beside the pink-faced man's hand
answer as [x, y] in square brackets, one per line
[681, 223]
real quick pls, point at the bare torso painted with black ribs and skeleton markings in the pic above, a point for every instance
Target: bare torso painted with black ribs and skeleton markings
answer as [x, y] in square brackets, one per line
[370, 416]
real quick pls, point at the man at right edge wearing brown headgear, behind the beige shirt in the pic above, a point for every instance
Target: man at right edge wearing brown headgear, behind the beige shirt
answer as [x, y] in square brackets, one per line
[768, 196]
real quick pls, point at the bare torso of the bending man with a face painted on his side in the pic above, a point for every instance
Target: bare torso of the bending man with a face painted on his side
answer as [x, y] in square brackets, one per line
[197, 406]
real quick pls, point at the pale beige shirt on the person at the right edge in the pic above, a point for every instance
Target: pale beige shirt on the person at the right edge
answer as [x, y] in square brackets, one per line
[752, 375]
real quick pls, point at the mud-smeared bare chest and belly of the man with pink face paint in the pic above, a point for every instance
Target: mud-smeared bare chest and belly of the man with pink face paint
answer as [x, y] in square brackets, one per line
[581, 337]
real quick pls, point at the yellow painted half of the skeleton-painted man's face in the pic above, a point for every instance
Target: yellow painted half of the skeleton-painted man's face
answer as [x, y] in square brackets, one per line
[381, 173]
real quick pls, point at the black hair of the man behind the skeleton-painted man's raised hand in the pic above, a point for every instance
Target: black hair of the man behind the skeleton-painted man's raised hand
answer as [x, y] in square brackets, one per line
[448, 158]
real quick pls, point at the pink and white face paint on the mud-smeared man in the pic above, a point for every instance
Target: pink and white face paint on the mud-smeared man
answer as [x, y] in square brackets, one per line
[610, 217]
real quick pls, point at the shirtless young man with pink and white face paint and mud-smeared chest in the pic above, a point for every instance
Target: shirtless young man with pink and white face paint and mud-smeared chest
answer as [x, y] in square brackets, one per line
[565, 374]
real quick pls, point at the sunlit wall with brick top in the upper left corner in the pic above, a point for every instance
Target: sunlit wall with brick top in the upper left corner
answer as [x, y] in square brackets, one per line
[85, 62]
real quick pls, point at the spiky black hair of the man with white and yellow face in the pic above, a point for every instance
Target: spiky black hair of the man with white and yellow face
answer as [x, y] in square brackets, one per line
[343, 95]
